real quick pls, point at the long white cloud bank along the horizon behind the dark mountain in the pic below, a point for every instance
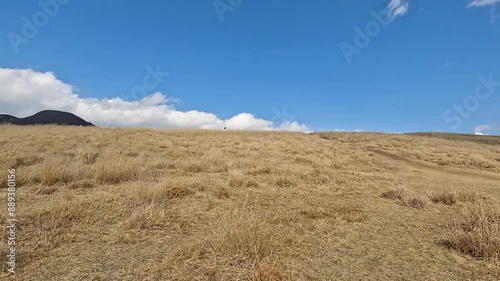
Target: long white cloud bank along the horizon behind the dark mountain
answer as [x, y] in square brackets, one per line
[24, 92]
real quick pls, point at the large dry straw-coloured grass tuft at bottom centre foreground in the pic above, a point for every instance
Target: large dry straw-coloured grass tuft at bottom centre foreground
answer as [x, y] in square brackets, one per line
[239, 244]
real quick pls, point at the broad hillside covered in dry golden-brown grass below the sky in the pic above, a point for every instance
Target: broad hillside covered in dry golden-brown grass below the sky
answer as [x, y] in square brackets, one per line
[137, 204]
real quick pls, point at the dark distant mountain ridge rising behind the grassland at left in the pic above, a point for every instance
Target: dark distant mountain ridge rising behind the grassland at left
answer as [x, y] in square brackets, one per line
[46, 117]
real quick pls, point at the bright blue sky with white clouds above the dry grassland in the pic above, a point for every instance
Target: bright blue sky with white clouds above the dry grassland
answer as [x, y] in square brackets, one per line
[280, 61]
